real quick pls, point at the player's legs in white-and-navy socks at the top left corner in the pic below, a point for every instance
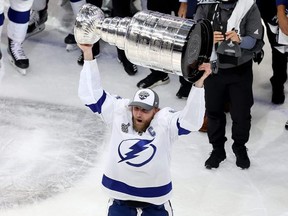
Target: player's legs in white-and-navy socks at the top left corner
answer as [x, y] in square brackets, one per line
[18, 16]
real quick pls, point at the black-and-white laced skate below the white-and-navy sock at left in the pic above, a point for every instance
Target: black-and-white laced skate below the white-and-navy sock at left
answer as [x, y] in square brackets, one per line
[17, 56]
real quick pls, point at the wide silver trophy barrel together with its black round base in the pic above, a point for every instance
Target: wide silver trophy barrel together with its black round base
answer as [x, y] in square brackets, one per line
[168, 43]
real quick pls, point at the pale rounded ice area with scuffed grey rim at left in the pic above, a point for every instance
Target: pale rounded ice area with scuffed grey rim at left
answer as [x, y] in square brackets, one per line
[44, 149]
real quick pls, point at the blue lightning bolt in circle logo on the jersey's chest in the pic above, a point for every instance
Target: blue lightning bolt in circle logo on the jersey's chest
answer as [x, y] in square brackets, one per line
[136, 152]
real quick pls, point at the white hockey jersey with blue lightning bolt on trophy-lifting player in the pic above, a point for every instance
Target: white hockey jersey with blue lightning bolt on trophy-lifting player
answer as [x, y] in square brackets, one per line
[138, 167]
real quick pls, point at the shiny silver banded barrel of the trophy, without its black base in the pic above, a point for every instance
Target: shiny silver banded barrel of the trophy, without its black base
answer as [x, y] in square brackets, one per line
[156, 40]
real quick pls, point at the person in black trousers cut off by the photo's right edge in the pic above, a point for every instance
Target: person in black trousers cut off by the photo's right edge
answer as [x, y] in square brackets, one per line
[274, 14]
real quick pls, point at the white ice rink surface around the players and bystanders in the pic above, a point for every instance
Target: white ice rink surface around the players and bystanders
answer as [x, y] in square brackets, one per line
[52, 147]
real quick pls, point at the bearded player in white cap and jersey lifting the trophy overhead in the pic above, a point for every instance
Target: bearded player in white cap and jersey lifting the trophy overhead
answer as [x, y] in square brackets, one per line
[137, 175]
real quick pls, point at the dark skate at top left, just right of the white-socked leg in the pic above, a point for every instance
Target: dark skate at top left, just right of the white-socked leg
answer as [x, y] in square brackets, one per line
[36, 22]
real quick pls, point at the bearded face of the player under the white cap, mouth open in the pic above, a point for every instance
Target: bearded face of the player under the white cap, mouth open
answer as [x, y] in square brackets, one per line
[142, 118]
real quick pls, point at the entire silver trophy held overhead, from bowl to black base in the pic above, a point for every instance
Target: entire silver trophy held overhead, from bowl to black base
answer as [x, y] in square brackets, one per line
[150, 39]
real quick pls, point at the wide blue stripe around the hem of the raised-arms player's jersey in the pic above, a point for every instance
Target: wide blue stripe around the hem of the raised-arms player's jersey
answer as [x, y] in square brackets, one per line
[148, 192]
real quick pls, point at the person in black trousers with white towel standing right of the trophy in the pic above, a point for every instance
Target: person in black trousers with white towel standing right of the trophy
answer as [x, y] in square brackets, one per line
[237, 34]
